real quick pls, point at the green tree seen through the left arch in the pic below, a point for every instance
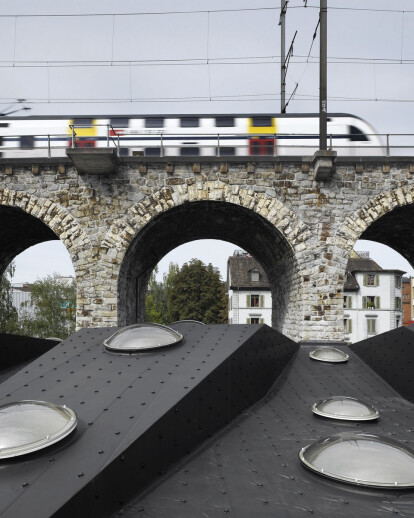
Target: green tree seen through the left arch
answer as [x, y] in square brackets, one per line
[53, 301]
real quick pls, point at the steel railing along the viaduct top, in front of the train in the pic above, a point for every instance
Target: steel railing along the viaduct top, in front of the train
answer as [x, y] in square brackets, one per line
[244, 143]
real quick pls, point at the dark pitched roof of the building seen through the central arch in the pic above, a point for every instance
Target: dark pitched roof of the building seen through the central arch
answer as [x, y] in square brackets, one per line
[238, 273]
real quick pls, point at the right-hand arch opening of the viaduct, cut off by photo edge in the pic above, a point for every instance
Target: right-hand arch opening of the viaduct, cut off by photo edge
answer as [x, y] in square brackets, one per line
[378, 288]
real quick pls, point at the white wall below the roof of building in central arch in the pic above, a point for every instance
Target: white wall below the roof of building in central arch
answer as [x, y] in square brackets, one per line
[240, 313]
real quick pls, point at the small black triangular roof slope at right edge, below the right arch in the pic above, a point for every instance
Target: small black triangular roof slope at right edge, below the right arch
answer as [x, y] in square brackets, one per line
[391, 355]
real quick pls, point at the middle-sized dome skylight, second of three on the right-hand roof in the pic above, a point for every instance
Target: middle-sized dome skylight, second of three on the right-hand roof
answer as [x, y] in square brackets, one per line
[345, 408]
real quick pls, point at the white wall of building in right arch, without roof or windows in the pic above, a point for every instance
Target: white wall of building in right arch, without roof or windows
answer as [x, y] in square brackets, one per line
[386, 317]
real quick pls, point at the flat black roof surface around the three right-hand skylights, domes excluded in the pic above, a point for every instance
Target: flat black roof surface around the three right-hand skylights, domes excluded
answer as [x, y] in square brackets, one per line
[252, 468]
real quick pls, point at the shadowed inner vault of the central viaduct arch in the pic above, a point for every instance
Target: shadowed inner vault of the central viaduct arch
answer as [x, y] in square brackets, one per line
[211, 220]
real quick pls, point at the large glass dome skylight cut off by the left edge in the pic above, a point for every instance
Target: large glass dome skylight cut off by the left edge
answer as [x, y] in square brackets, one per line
[28, 426]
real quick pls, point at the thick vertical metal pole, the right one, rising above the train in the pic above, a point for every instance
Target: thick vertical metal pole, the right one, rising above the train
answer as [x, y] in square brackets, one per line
[323, 104]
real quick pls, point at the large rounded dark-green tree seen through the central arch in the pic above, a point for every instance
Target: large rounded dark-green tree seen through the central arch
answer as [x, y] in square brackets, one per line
[198, 293]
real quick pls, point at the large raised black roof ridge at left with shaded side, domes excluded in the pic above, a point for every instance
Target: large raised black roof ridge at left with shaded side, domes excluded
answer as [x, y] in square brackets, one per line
[136, 414]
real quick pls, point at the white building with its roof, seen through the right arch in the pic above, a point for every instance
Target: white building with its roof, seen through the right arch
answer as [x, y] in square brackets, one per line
[372, 298]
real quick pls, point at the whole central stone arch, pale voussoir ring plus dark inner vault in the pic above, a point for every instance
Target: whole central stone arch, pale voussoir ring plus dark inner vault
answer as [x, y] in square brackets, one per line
[204, 210]
